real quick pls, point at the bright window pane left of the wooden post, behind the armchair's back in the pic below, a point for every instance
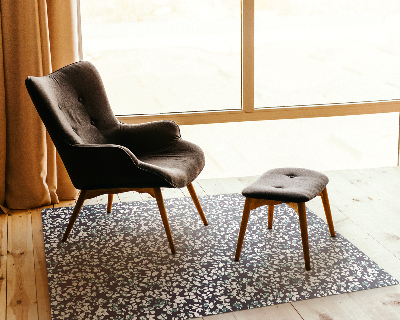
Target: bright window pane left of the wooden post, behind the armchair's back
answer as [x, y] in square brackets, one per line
[159, 56]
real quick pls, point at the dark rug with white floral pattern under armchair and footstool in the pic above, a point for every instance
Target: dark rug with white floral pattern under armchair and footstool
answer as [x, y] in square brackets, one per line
[119, 265]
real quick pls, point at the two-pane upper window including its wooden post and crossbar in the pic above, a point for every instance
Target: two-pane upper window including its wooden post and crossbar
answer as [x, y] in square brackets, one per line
[230, 60]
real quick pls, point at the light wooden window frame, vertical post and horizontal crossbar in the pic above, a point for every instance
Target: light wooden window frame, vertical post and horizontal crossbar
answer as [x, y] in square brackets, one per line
[248, 112]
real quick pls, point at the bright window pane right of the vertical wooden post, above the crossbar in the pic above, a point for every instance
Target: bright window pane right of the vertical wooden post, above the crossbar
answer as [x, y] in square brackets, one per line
[326, 51]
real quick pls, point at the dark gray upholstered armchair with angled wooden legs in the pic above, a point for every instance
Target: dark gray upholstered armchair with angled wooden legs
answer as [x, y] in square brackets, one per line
[105, 156]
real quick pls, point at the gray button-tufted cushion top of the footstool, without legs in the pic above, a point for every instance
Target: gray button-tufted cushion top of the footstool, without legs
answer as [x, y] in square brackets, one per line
[287, 185]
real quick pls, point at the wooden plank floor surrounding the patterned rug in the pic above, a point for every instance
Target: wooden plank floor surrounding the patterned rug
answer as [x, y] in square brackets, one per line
[365, 207]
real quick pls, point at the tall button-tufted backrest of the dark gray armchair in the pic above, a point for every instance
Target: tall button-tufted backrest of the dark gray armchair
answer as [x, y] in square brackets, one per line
[73, 105]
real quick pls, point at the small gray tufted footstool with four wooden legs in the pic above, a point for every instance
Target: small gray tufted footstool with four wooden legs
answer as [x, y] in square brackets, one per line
[294, 186]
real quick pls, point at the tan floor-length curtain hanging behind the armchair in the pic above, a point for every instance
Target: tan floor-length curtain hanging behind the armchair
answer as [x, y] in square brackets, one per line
[37, 36]
